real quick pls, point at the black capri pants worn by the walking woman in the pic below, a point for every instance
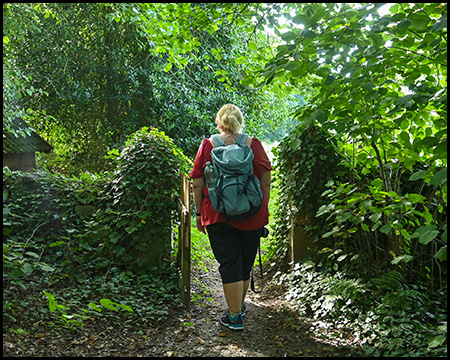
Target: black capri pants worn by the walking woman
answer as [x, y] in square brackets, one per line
[234, 249]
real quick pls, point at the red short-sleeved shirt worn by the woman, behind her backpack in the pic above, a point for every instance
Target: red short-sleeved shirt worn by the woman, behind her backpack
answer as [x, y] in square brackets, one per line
[261, 164]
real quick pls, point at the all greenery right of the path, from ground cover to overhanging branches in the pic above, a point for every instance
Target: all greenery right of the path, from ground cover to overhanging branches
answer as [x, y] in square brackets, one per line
[367, 167]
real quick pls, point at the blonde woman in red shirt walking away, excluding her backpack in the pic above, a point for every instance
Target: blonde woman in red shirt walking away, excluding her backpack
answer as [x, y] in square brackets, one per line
[234, 242]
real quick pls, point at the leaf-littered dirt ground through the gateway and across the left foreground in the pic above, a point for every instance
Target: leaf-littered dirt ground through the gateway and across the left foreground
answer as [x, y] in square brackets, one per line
[272, 328]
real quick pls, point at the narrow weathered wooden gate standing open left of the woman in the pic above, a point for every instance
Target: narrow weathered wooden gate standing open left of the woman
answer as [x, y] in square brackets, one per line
[184, 241]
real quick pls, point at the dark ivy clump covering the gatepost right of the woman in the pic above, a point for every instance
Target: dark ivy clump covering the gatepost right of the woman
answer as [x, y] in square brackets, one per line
[306, 161]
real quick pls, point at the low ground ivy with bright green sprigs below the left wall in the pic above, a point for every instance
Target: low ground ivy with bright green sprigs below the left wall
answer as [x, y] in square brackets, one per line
[70, 304]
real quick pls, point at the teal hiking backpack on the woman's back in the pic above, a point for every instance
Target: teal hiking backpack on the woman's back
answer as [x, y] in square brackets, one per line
[235, 192]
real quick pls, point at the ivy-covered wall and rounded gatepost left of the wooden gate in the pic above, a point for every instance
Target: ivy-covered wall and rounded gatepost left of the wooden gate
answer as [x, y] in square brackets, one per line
[97, 221]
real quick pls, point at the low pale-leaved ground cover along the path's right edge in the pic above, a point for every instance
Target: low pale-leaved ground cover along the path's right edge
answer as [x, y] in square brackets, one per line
[401, 321]
